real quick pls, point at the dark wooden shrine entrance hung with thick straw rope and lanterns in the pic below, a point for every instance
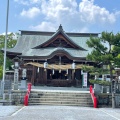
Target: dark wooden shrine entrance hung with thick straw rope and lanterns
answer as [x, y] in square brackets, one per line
[58, 71]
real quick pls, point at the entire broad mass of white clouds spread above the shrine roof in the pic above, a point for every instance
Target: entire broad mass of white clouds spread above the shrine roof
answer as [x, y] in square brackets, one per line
[80, 17]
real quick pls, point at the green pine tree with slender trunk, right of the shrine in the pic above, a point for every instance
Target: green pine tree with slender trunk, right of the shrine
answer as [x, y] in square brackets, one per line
[106, 50]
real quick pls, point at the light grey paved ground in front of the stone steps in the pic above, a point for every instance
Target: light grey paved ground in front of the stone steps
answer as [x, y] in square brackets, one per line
[57, 113]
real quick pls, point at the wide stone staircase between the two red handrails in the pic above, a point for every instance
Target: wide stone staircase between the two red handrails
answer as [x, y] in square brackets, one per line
[60, 98]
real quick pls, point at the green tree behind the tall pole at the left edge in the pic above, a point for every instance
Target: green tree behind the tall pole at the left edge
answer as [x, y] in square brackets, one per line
[11, 42]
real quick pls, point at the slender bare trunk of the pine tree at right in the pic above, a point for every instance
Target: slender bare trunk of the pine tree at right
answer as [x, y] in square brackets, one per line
[112, 87]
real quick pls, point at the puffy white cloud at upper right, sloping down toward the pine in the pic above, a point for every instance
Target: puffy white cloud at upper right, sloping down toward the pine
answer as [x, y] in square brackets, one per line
[93, 14]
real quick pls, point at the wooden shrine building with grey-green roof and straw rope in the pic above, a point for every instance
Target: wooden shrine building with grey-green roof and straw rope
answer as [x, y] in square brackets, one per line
[52, 58]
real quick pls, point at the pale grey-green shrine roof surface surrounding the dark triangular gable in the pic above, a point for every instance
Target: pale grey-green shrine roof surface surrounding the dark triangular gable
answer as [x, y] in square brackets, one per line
[28, 41]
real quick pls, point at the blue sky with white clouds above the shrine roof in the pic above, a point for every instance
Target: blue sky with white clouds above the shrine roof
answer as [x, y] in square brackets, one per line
[83, 16]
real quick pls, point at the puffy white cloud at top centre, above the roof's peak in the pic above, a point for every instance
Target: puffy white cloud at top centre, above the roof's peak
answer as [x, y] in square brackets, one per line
[58, 9]
